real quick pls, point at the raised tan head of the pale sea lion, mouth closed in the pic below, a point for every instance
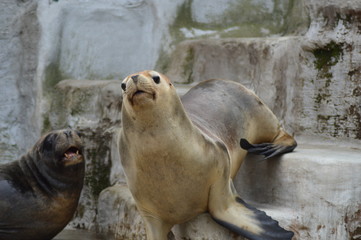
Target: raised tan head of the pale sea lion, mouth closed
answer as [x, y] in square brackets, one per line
[144, 89]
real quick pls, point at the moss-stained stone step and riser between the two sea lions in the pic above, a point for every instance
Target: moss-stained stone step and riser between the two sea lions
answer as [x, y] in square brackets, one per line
[93, 108]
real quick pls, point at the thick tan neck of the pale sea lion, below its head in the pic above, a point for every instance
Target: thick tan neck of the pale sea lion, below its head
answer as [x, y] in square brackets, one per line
[161, 127]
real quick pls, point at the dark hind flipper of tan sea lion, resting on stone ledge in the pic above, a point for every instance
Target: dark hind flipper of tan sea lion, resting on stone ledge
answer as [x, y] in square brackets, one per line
[267, 149]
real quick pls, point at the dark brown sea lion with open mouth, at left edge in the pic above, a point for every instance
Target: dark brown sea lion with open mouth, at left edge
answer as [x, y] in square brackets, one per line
[39, 193]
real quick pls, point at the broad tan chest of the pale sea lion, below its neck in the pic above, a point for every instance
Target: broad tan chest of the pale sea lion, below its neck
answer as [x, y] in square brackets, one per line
[168, 170]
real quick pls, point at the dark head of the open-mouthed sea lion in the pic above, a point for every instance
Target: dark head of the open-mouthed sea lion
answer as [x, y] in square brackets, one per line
[60, 148]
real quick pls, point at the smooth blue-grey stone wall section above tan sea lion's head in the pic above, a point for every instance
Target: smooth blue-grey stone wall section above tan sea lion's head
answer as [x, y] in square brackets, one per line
[103, 39]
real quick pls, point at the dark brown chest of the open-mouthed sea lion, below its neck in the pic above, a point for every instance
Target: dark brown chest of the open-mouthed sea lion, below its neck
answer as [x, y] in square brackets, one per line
[26, 203]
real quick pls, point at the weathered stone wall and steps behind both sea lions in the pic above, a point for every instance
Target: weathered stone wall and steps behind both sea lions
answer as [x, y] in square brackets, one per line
[61, 62]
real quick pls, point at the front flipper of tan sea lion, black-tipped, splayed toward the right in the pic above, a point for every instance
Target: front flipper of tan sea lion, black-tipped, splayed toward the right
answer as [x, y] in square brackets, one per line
[250, 222]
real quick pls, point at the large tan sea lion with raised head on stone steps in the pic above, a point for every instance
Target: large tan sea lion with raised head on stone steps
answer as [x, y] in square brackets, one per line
[179, 156]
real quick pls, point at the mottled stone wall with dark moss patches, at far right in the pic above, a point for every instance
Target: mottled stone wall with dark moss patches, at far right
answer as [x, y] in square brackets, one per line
[331, 68]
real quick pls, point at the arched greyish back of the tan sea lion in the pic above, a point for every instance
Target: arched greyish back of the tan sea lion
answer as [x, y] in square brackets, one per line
[229, 110]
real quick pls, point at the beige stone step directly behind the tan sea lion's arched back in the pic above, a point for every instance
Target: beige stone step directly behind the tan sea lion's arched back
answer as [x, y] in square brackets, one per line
[268, 66]
